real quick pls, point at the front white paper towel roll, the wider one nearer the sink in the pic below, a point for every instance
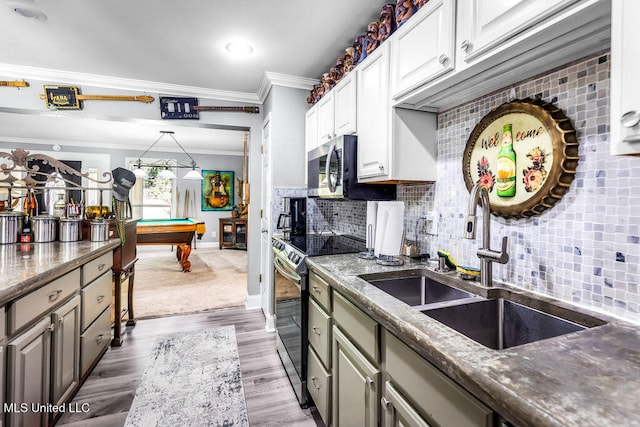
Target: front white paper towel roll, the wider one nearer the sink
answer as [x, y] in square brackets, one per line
[389, 228]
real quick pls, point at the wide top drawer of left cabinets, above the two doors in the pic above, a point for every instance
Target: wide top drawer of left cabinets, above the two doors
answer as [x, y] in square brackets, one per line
[29, 307]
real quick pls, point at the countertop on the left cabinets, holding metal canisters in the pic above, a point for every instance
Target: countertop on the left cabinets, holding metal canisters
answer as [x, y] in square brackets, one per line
[27, 266]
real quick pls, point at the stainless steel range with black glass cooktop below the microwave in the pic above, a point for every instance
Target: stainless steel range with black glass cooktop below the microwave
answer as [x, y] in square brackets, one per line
[292, 298]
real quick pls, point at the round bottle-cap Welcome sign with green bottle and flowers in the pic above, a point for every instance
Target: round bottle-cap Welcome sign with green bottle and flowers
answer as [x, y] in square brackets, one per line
[526, 153]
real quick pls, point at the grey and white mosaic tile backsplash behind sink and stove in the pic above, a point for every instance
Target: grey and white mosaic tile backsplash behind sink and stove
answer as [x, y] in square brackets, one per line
[586, 249]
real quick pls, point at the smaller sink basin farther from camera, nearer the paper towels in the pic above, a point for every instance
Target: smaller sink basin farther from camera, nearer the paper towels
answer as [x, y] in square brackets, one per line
[416, 290]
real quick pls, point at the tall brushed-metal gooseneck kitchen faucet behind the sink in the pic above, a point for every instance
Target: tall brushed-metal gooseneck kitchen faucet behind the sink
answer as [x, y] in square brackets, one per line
[479, 193]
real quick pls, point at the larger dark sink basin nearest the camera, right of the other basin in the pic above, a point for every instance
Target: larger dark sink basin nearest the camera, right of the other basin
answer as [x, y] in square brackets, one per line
[500, 324]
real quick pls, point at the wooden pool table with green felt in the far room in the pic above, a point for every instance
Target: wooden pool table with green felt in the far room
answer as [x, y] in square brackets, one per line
[175, 231]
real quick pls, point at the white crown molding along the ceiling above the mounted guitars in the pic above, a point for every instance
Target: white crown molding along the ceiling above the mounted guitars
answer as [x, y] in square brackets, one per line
[50, 75]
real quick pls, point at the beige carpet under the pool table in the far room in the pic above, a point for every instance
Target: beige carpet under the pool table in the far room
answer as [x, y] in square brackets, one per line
[218, 279]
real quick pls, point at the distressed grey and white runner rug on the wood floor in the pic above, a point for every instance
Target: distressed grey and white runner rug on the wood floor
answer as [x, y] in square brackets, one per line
[191, 379]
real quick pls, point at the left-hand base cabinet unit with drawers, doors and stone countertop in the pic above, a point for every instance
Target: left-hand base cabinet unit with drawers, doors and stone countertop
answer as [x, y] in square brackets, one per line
[55, 324]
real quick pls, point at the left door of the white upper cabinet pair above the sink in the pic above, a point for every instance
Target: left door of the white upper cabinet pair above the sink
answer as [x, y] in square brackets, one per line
[423, 48]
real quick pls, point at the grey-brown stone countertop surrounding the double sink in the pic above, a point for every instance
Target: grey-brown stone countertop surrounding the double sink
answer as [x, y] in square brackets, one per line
[588, 378]
